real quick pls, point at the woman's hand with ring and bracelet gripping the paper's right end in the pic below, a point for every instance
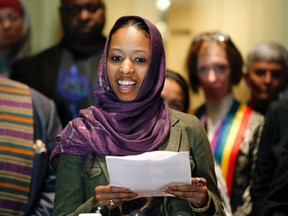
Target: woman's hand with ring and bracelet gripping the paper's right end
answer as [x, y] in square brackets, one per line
[196, 192]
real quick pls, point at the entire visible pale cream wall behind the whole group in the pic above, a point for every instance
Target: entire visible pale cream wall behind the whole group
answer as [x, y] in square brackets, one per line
[246, 21]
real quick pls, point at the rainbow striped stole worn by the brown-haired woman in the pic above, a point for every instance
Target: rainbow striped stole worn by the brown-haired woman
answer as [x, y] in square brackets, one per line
[228, 138]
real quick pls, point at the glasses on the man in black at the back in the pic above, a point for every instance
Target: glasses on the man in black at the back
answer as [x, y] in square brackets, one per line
[75, 10]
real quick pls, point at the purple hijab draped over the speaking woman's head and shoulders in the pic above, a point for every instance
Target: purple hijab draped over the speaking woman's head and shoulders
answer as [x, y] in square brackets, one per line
[114, 127]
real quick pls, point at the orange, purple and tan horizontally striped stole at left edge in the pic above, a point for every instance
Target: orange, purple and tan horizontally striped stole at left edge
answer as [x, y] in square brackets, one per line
[16, 146]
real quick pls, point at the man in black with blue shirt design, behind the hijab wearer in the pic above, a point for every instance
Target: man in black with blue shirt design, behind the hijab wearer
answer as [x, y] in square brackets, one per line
[66, 72]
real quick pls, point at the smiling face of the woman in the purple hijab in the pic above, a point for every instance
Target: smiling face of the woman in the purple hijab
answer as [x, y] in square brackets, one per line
[127, 62]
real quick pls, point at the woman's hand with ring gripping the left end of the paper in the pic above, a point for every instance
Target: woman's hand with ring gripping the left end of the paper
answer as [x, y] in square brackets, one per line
[112, 196]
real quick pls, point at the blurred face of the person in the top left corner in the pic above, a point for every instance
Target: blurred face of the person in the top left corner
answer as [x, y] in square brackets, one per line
[11, 26]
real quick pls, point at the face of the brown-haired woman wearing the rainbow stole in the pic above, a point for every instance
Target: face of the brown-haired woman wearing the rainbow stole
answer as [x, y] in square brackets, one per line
[214, 73]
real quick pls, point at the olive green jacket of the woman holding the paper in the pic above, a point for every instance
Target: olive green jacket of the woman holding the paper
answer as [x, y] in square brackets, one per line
[77, 178]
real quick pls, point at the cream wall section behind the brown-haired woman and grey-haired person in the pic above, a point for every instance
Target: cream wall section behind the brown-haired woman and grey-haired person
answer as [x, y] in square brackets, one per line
[246, 21]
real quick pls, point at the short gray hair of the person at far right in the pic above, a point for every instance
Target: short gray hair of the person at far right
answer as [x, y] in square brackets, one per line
[268, 51]
